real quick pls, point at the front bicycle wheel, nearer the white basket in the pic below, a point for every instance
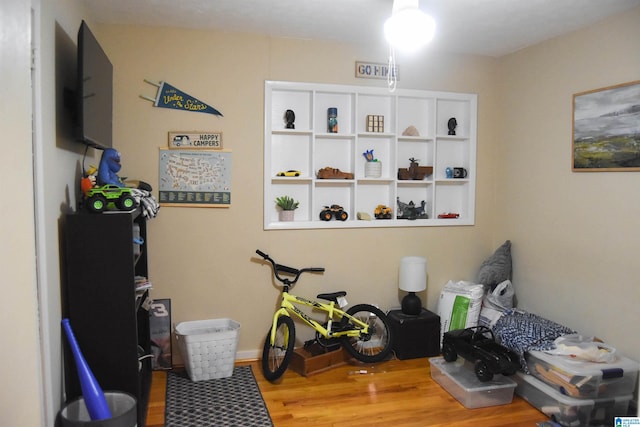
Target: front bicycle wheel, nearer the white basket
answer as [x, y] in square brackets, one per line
[276, 357]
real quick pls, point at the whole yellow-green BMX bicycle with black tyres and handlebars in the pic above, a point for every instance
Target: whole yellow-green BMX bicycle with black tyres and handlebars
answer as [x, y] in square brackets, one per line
[363, 330]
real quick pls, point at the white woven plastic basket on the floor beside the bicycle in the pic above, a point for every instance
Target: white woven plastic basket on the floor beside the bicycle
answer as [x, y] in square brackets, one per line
[208, 347]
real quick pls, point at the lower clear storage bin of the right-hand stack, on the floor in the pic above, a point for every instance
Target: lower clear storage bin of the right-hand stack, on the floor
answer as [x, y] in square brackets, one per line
[566, 410]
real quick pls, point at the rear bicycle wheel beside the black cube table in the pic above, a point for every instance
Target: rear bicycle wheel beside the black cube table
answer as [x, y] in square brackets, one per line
[375, 345]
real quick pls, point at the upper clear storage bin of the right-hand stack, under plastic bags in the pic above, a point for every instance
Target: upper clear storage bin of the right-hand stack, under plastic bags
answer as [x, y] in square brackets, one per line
[582, 379]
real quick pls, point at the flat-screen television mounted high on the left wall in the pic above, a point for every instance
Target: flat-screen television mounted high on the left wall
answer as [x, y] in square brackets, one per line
[94, 92]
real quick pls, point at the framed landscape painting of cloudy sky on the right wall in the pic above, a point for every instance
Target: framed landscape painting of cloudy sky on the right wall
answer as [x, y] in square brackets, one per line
[606, 129]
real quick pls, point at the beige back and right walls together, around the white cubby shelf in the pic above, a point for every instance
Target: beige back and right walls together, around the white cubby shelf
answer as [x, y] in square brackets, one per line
[572, 259]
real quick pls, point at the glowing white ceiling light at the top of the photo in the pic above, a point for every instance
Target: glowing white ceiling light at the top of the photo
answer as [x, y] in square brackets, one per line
[408, 28]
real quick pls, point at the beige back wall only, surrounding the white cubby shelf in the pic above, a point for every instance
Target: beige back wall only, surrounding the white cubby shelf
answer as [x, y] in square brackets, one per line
[202, 258]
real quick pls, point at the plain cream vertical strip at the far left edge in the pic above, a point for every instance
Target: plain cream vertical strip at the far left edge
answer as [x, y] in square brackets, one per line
[20, 372]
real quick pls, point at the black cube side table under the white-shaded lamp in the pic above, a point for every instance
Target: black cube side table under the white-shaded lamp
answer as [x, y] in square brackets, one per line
[415, 336]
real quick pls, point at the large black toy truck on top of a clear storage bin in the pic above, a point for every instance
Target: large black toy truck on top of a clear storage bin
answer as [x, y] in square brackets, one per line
[478, 345]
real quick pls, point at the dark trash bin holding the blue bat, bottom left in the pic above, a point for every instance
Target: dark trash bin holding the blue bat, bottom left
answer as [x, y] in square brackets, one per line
[123, 408]
